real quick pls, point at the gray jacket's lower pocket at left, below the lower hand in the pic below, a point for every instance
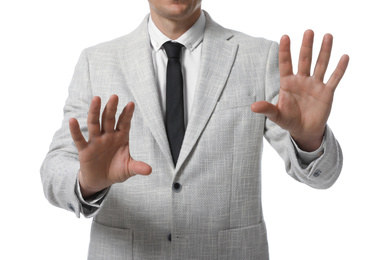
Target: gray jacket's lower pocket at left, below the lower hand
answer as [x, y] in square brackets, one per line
[110, 243]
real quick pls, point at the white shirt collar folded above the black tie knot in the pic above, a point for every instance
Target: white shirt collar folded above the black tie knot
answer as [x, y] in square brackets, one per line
[190, 39]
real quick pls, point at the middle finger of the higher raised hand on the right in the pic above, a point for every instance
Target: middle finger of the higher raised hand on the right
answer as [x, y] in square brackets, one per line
[305, 55]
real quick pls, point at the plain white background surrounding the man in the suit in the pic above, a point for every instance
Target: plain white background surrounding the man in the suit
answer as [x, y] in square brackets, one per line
[40, 45]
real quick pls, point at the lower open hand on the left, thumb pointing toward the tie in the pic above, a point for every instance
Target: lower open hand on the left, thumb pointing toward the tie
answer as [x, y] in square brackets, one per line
[105, 159]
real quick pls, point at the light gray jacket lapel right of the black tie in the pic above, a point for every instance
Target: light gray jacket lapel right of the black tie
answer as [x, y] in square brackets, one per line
[218, 55]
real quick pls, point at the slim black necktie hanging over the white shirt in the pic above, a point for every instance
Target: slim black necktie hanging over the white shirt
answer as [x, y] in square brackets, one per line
[174, 99]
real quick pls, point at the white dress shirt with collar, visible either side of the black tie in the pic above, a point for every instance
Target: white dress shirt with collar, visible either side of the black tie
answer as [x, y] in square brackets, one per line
[190, 61]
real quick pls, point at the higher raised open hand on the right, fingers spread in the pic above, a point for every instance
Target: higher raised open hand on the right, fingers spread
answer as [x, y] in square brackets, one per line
[305, 101]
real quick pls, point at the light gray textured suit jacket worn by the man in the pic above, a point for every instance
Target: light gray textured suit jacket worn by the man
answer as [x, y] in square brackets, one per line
[215, 212]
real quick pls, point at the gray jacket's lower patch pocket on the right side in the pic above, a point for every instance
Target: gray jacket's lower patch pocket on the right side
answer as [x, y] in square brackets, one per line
[243, 243]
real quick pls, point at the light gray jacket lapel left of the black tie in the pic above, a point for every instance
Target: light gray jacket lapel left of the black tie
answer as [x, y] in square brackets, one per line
[136, 59]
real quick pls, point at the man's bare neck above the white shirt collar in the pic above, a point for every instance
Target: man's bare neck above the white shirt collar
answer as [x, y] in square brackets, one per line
[174, 28]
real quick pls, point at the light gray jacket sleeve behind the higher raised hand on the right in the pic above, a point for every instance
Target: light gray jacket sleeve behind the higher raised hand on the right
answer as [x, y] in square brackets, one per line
[319, 169]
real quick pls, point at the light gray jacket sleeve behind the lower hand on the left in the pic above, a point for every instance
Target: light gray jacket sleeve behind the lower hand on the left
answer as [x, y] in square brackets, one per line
[59, 171]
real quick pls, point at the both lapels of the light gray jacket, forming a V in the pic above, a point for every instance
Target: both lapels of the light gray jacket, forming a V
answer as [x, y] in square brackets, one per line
[218, 55]
